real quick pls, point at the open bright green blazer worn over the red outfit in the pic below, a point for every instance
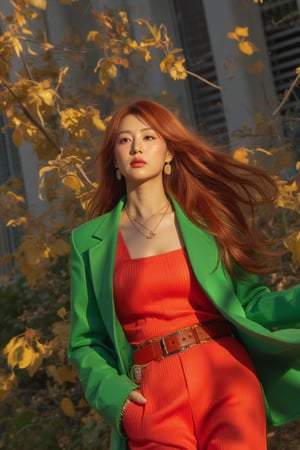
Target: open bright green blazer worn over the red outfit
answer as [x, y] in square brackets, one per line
[265, 321]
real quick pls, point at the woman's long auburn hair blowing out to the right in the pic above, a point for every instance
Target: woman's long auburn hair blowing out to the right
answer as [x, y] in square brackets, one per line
[218, 193]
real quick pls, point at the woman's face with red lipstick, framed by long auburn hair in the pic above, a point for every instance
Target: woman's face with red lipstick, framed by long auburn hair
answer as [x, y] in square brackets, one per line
[139, 153]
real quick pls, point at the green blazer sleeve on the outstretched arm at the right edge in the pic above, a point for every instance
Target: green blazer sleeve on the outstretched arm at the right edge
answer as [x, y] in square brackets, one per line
[272, 309]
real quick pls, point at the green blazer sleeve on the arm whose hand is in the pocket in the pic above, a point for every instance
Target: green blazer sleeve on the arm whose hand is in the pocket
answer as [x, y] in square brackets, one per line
[90, 348]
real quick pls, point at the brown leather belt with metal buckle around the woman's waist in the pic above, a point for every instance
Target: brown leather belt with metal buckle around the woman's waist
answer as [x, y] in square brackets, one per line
[181, 340]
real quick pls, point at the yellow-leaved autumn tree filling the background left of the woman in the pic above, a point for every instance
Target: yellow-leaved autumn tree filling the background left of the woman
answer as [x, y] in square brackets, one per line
[48, 107]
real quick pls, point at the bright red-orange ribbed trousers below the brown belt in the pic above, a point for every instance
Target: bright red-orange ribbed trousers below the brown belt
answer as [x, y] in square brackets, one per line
[204, 398]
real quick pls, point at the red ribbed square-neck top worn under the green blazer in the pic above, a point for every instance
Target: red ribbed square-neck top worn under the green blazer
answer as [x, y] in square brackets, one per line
[157, 295]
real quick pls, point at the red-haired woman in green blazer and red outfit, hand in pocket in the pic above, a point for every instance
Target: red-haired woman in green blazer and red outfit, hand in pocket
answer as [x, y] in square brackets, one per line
[176, 343]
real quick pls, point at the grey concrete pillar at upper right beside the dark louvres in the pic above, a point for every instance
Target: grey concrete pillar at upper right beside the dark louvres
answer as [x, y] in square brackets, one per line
[244, 93]
